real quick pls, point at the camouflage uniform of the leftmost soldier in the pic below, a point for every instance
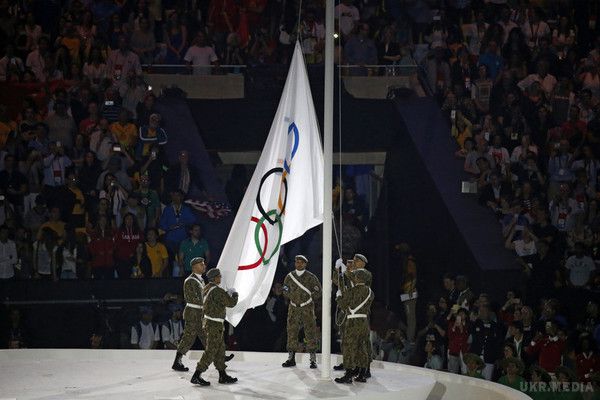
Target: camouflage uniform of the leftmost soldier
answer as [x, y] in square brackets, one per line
[192, 314]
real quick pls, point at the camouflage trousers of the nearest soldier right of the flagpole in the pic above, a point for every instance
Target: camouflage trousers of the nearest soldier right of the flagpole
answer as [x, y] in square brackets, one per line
[356, 337]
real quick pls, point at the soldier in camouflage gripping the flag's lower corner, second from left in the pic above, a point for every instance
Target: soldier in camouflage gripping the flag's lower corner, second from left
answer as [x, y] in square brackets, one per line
[216, 300]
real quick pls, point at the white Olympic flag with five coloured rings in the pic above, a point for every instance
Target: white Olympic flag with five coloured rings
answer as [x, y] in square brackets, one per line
[284, 198]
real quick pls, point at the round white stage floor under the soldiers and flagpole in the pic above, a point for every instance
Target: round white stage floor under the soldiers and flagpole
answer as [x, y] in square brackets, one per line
[135, 374]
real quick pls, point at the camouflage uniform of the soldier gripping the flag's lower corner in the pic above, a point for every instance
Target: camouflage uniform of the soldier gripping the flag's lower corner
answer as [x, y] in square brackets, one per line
[216, 300]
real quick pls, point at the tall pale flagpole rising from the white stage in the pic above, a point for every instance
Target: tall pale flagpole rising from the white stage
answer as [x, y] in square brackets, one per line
[327, 193]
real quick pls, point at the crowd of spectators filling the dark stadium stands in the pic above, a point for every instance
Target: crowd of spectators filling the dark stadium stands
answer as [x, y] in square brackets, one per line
[88, 192]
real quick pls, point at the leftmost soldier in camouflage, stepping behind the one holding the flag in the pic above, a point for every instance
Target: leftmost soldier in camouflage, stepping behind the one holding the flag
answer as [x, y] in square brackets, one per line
[192, 314]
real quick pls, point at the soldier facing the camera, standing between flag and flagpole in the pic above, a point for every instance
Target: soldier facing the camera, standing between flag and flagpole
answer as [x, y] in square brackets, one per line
[302, 289]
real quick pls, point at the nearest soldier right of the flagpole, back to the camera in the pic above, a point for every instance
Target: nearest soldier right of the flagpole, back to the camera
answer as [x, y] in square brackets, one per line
[356, 301]
